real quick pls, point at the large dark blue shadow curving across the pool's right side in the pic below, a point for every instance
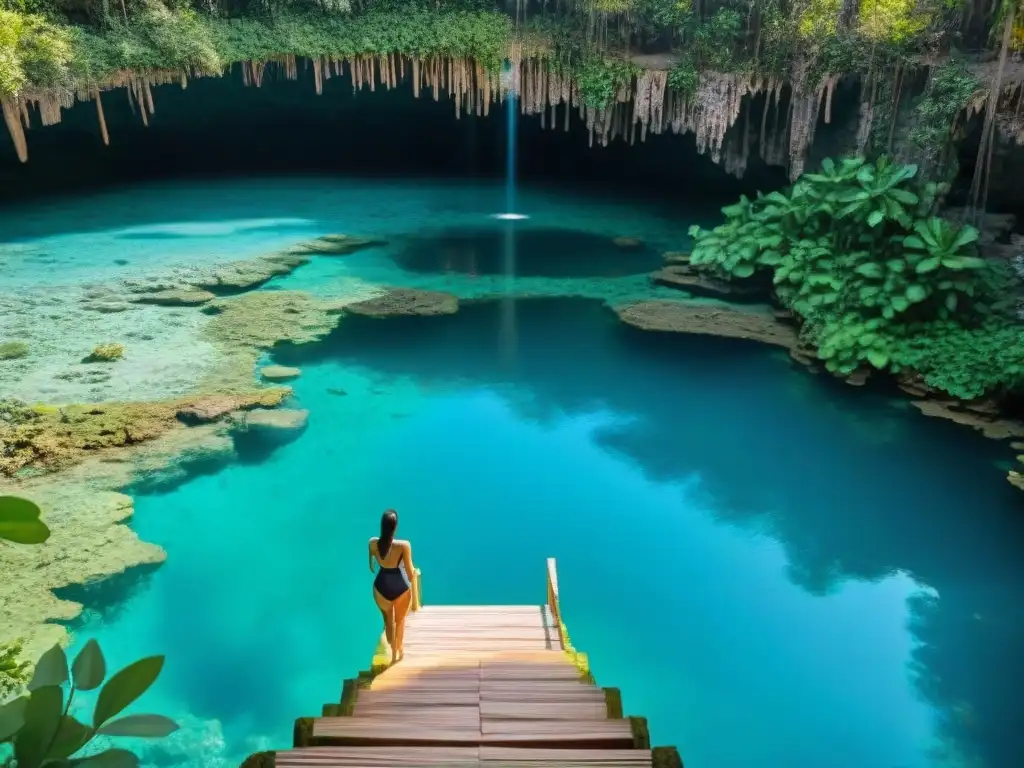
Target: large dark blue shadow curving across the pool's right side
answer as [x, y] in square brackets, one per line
[885, 494]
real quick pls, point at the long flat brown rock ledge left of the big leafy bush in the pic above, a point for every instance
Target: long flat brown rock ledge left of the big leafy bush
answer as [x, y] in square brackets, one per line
[677, 317]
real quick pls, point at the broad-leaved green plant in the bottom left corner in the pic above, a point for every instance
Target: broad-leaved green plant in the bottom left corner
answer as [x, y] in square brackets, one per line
[45, 734]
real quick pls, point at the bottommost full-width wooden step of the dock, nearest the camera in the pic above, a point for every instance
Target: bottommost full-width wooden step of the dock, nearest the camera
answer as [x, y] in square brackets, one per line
[433, 757]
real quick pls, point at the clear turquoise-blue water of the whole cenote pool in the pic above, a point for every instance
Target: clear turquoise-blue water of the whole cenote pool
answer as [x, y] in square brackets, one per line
[774, 569]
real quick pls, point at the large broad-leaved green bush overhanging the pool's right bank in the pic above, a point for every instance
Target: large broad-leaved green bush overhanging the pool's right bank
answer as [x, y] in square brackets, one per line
[858, 252]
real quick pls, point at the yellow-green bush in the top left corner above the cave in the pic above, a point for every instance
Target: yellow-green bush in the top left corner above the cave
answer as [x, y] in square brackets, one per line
[33, 52]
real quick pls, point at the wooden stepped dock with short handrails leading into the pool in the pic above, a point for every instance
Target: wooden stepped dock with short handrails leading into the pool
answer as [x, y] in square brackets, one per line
[480, 686]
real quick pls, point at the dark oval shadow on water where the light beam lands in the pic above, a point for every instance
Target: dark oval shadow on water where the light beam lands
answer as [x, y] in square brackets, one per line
[548, 253]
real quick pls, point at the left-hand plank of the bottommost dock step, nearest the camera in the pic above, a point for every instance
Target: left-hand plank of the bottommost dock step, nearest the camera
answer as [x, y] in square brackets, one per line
[374, 757]
